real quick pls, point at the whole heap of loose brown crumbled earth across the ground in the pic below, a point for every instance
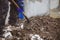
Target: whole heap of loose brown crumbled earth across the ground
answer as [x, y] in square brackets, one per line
[46, 27]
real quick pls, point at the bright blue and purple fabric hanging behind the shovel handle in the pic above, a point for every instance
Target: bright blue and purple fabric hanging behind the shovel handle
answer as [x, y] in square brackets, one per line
[21, 9]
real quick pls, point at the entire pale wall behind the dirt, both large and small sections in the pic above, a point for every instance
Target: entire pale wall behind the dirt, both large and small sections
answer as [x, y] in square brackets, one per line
[36, 7]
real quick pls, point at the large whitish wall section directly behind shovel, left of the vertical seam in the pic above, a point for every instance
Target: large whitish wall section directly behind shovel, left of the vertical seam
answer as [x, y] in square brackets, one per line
[33, 8]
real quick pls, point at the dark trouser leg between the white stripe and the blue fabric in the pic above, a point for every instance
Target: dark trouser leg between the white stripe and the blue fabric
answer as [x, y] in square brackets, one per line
[13, 15]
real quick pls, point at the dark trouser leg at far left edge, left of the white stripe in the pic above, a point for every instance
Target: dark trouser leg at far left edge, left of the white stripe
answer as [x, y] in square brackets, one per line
[3, 13]
